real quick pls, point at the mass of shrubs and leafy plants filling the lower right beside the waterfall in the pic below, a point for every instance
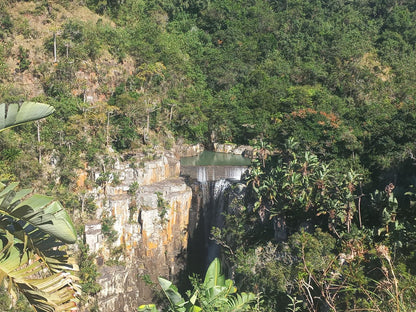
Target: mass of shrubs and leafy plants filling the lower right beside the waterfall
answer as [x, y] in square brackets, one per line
[342, 251]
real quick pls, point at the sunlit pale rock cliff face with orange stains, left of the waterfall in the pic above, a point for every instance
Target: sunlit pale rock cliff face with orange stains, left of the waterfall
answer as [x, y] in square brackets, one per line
[151, 230]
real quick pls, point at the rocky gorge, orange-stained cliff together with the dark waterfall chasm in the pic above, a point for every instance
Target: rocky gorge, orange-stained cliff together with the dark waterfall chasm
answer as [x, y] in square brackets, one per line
[159, 219]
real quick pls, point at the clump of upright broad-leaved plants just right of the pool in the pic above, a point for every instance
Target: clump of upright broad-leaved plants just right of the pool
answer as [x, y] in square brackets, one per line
[300, 188]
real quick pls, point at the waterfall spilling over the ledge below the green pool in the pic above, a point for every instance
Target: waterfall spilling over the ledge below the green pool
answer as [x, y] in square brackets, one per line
[211, 185]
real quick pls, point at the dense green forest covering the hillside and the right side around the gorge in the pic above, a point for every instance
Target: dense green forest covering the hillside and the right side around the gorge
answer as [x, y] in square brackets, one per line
[325, 90]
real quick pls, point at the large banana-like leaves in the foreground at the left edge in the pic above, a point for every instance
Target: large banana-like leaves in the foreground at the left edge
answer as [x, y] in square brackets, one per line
[33, 232]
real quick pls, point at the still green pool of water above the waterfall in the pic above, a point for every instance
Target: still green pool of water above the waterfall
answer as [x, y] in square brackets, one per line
[208, 158]
